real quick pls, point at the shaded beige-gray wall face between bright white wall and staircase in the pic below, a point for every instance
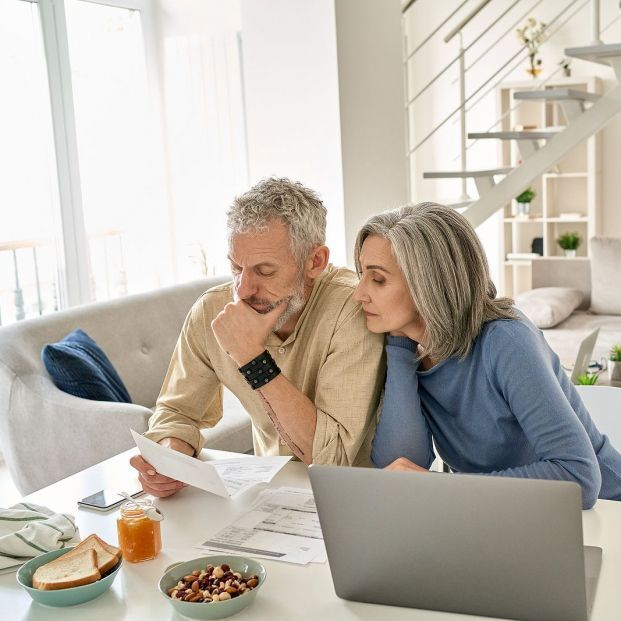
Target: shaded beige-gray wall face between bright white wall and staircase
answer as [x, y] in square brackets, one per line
[372, 115]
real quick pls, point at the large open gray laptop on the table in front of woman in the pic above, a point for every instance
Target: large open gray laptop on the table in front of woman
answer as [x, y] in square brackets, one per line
[472, 544]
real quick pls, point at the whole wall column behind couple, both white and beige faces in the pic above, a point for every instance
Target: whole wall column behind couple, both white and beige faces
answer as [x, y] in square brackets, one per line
[324, 106]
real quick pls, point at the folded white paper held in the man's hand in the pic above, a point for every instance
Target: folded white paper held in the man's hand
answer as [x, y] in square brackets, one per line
[224, 477]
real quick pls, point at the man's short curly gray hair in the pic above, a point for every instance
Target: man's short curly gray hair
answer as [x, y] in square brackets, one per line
[292, 203]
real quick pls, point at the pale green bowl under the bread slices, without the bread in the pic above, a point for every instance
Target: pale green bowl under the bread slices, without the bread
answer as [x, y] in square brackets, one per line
[62, 597]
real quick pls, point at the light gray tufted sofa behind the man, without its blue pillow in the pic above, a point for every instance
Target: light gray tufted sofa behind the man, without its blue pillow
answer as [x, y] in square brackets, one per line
[47, 434]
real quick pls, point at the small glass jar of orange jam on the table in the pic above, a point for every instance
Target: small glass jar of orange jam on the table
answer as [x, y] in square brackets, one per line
[139, 531]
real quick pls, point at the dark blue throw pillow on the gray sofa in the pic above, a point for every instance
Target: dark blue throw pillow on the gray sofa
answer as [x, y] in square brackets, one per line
[79, 367]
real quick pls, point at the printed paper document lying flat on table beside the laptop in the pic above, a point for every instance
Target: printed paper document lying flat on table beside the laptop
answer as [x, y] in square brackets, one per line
[282, 525]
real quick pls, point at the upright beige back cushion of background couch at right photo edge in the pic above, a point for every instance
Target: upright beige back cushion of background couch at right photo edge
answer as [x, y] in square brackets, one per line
[605, 263]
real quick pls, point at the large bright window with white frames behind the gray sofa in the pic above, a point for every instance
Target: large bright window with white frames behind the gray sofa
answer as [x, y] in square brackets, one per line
[117, 169]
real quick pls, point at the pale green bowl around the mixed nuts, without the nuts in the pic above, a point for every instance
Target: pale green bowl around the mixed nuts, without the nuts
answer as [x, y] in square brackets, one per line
[212, 610]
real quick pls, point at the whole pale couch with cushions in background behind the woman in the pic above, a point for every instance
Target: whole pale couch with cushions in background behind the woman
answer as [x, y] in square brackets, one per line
[597, 279]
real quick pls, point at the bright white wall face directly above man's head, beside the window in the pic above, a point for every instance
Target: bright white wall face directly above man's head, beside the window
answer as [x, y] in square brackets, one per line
[292, 100]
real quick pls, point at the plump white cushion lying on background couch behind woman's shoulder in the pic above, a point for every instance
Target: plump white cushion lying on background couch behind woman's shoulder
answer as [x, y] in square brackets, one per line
[548, 306]
